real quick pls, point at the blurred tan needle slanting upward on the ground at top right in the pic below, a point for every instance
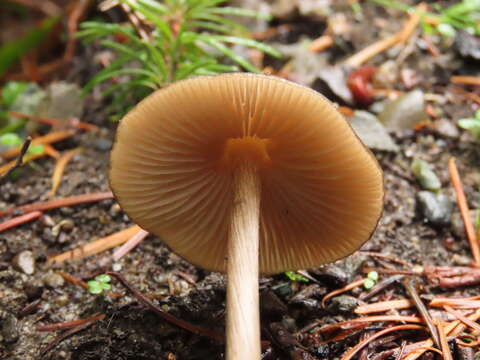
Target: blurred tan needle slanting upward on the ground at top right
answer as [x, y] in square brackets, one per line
[380, 46]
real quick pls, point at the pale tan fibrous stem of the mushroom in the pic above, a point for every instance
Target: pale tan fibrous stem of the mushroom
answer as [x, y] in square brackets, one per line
[243, 316]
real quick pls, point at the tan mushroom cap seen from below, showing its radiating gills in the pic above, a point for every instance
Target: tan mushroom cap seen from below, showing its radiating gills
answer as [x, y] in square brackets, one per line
[175, 153]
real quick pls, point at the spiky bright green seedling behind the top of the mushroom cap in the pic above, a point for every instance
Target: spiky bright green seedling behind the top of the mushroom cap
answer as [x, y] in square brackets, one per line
[184, 38]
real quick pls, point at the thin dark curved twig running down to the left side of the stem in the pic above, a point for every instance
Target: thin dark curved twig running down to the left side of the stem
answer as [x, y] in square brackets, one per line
[168, 317]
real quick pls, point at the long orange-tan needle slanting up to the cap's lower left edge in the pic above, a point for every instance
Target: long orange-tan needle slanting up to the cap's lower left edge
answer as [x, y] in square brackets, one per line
[96, 246]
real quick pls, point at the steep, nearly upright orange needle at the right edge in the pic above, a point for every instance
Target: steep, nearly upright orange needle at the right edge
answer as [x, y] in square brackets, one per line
[463, 206]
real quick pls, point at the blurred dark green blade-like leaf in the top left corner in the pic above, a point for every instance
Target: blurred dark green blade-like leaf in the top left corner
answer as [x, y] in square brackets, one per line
[12, 51]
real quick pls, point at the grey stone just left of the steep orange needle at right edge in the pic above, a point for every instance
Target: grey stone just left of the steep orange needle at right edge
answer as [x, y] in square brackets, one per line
[436, 208]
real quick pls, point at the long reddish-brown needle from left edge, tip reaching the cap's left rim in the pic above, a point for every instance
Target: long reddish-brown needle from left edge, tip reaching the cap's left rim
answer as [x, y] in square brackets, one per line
[57, 203]
